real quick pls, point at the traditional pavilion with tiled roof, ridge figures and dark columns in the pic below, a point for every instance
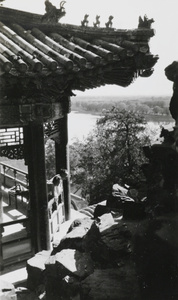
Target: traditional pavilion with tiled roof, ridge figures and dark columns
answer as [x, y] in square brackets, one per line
[42, 63]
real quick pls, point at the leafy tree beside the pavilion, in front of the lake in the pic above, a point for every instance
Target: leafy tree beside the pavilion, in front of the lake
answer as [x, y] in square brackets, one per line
[112, 153]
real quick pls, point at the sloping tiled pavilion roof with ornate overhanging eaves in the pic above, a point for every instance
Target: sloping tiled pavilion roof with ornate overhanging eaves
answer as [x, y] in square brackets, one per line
[72, 57]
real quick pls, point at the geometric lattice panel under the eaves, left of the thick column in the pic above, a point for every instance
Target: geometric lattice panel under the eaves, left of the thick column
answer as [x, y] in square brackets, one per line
[11, 136]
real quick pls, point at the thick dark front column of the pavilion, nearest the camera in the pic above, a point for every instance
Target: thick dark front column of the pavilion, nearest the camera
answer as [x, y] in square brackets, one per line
[35, 156]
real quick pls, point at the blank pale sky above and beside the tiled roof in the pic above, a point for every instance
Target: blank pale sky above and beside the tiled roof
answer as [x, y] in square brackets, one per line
[126, 14]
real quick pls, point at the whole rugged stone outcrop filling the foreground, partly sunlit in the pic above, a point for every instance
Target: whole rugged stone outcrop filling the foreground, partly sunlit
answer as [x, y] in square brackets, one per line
[111, 258]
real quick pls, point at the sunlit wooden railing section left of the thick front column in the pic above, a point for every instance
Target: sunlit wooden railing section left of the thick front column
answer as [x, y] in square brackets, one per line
[15, 235]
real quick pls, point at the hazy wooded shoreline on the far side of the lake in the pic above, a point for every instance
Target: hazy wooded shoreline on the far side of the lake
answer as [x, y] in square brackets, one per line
[153, 108]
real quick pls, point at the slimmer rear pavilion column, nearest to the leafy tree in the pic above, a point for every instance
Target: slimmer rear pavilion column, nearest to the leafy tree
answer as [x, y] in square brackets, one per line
[62, 162]
